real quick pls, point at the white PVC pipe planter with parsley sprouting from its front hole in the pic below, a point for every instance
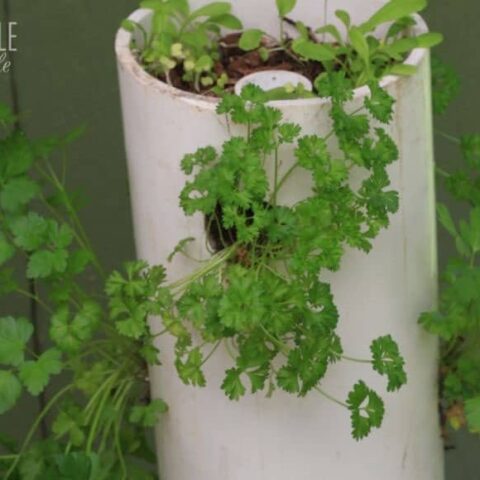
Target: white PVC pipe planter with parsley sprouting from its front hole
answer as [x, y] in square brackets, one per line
[205, 436]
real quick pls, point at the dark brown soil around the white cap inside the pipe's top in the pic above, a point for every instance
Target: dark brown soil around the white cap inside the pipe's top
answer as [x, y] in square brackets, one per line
[237, 64]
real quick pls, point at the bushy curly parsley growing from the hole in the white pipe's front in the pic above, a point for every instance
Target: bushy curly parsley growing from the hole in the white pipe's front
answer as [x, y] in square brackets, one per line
[260, 295]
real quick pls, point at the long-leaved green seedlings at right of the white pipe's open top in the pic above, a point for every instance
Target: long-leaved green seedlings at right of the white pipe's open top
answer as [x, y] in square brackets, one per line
[359, 53]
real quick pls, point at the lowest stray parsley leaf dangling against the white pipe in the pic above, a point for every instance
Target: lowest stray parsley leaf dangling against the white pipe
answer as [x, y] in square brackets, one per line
[366, 409]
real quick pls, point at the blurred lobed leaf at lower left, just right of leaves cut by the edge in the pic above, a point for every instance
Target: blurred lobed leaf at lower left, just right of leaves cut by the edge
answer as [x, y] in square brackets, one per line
[35, 375]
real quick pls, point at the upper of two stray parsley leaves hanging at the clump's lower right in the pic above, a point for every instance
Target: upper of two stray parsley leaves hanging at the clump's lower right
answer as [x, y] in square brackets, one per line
[388, 361]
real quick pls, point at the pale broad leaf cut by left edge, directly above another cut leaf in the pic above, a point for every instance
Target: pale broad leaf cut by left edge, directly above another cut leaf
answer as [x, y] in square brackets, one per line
[14, 336]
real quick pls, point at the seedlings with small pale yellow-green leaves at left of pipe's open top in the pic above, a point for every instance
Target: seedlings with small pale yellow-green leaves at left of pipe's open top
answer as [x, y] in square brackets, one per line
[180, 37]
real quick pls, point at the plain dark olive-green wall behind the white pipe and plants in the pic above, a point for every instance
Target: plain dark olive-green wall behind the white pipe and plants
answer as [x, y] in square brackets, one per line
[64, 76]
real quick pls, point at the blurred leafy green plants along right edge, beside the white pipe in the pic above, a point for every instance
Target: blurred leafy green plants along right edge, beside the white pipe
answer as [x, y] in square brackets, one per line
[457, 320]
